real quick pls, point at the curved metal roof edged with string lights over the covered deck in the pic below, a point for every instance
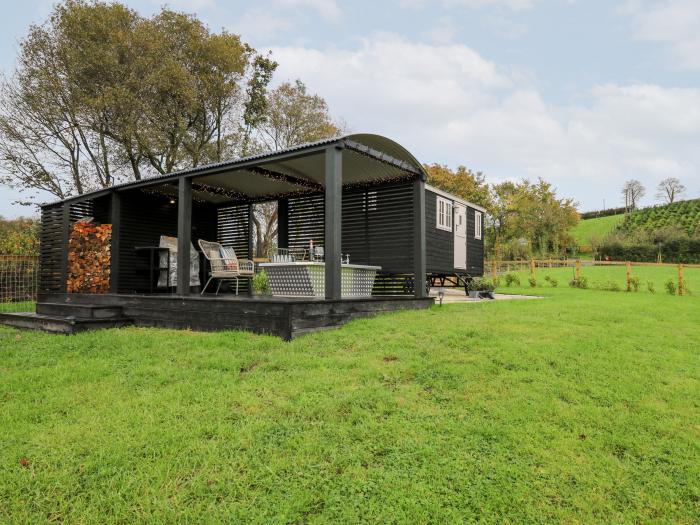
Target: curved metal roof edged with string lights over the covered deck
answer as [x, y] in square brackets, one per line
[377, 147]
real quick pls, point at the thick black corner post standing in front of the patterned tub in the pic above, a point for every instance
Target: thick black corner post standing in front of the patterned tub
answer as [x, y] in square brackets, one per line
[333, 219]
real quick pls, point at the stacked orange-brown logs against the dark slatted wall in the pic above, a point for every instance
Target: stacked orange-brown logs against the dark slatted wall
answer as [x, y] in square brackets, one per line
[89, 257]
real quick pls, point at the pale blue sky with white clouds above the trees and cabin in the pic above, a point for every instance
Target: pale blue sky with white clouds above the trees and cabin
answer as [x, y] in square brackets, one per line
[583, 93]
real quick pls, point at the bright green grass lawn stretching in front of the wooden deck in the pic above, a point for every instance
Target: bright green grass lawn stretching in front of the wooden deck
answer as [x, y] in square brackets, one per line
[583, 407]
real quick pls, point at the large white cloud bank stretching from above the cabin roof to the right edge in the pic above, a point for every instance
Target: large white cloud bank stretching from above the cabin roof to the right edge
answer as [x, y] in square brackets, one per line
[448, 104]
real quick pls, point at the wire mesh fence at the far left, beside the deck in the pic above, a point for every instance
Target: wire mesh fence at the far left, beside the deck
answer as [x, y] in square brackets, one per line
[19, 279]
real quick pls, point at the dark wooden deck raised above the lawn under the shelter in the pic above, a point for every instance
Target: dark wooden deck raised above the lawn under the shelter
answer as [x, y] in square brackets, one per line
[284, 317]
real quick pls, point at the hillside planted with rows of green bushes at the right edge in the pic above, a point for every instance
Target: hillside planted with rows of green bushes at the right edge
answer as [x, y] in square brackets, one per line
[684, 214]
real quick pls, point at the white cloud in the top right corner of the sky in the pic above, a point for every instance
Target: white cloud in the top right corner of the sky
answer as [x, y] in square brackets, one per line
[674, 22]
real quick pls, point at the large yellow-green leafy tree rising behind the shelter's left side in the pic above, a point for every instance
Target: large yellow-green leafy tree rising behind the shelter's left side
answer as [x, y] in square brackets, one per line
[102, 94]
